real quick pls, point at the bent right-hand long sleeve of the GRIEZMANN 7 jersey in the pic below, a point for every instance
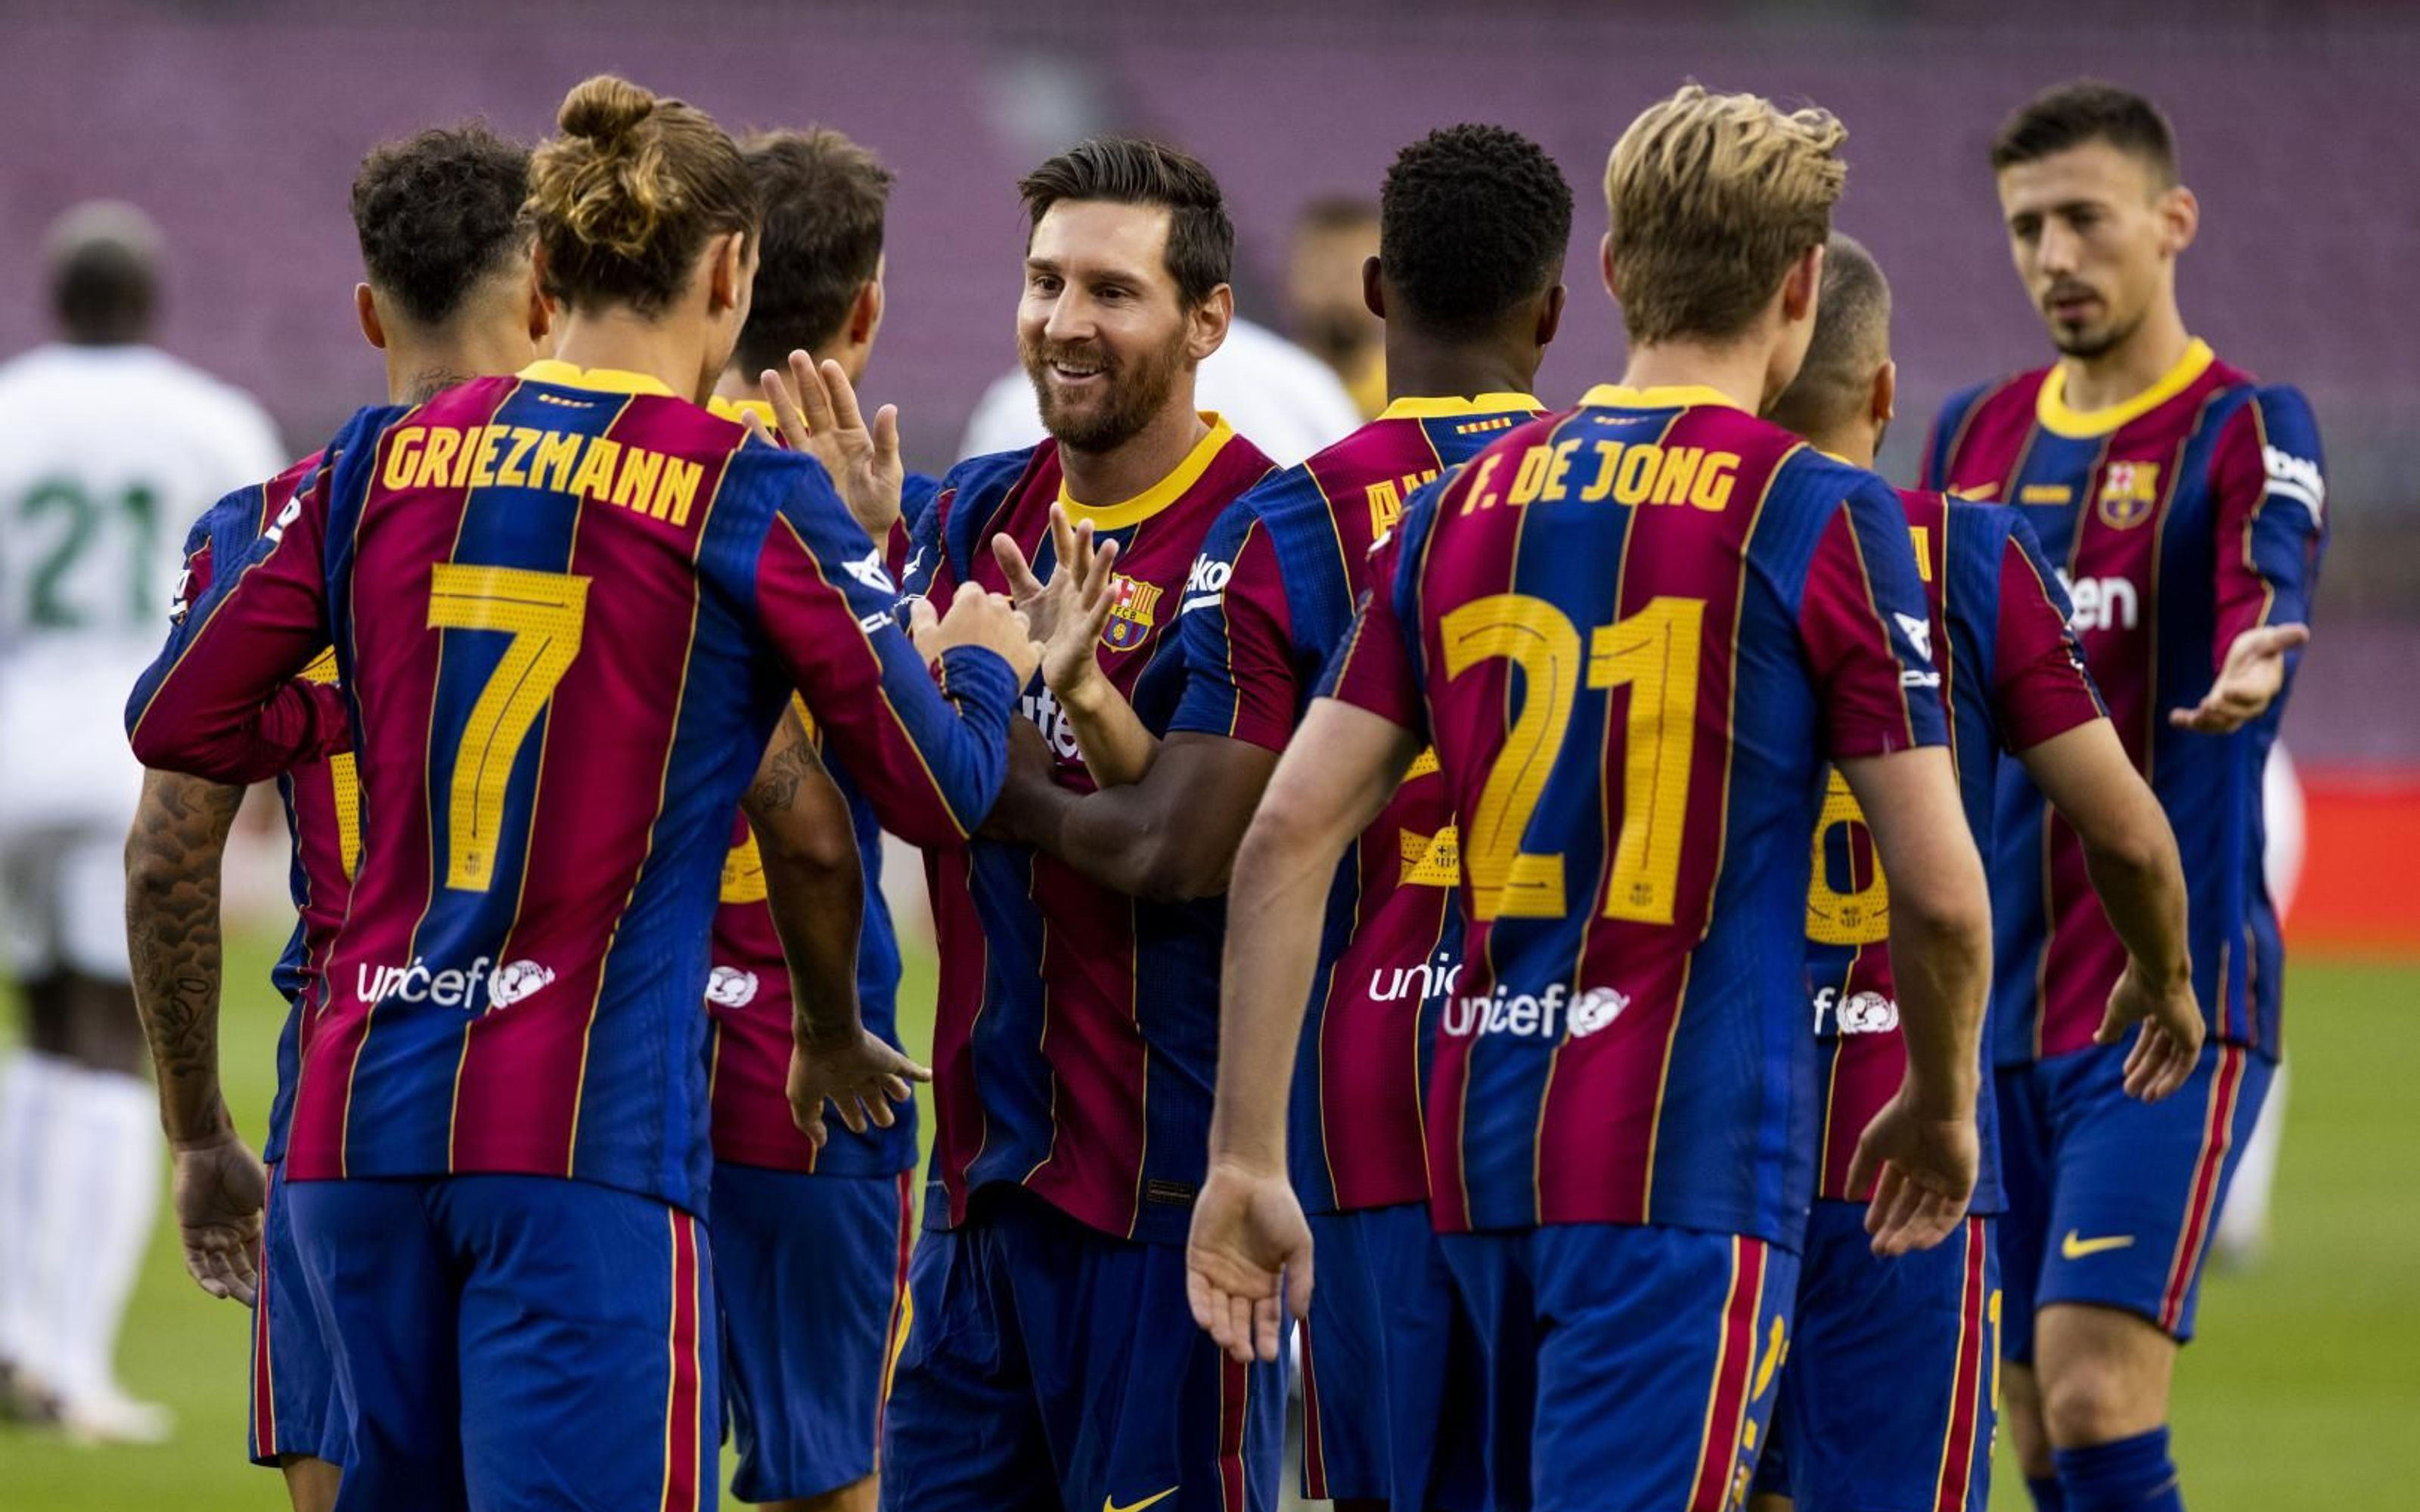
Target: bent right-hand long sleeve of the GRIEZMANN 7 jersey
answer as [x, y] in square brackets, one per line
[928, 758]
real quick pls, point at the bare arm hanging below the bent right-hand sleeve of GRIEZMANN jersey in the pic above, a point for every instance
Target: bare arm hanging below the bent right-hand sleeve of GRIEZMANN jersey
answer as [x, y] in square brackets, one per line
[814, 884]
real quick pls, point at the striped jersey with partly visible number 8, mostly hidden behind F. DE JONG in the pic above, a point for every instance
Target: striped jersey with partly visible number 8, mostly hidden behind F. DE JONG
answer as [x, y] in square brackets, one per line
[2012, 679]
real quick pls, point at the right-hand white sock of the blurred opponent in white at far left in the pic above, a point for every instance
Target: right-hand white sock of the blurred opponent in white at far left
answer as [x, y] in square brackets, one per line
[105, 1228]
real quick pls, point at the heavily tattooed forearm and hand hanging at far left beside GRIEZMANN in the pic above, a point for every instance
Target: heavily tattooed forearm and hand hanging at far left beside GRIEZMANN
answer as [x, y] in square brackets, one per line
[173, 858]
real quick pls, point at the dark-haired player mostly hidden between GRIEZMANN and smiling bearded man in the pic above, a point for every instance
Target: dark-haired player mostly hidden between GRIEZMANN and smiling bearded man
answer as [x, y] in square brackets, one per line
[807, 1363]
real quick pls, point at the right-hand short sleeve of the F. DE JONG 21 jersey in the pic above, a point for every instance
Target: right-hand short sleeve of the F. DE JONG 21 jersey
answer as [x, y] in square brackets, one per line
[1867, 630]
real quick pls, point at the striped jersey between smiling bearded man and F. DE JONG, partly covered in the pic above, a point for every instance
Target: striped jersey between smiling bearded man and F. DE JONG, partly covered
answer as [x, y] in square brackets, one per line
[1267, 611]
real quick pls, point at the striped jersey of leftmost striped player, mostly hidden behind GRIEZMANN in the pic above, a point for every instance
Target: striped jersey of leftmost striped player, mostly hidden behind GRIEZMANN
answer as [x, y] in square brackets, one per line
[321, 797]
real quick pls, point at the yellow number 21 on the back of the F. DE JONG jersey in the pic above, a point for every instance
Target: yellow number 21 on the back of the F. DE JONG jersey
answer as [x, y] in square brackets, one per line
[1654, 654]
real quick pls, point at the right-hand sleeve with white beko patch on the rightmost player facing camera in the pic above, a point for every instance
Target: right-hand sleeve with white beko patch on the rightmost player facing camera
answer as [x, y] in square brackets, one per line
[2271, 492]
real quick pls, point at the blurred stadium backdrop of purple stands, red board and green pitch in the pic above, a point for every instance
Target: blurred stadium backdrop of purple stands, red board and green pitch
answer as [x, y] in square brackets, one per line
[238, 125]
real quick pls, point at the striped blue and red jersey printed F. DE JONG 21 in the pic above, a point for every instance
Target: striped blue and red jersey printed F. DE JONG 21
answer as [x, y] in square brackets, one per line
[1635, 635]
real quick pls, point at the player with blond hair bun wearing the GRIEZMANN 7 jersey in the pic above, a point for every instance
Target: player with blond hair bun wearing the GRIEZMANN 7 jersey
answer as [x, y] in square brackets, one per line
[500, 1138]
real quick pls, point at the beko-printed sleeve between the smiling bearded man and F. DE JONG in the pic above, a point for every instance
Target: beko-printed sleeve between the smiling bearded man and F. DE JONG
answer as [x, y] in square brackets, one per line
[1238, 640]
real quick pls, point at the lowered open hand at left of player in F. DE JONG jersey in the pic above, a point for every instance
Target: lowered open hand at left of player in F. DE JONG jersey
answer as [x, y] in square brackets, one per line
[1248, 1242]
